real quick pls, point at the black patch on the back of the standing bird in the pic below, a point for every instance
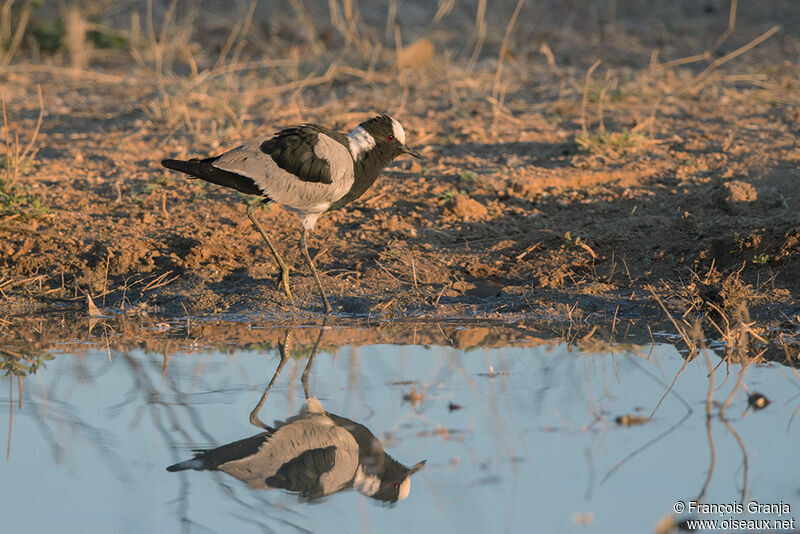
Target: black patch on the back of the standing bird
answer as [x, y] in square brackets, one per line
[292, 150]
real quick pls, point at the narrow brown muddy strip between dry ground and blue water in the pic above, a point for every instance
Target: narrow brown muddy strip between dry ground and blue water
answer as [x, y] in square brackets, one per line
[27, 343]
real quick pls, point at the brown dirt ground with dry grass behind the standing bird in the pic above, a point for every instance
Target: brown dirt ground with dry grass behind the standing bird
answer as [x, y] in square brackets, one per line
[663, 178]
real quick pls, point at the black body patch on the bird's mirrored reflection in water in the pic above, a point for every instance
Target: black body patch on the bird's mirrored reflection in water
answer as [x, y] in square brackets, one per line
[302, 473]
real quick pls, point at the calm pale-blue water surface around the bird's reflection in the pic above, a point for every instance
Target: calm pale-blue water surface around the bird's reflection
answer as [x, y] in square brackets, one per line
[516, 439]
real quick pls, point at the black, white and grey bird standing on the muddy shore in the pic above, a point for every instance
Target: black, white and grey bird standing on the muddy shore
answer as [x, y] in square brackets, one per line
[307, 169]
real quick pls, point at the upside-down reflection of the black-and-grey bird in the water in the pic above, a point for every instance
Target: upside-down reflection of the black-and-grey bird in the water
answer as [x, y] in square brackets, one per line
[313, 454]
